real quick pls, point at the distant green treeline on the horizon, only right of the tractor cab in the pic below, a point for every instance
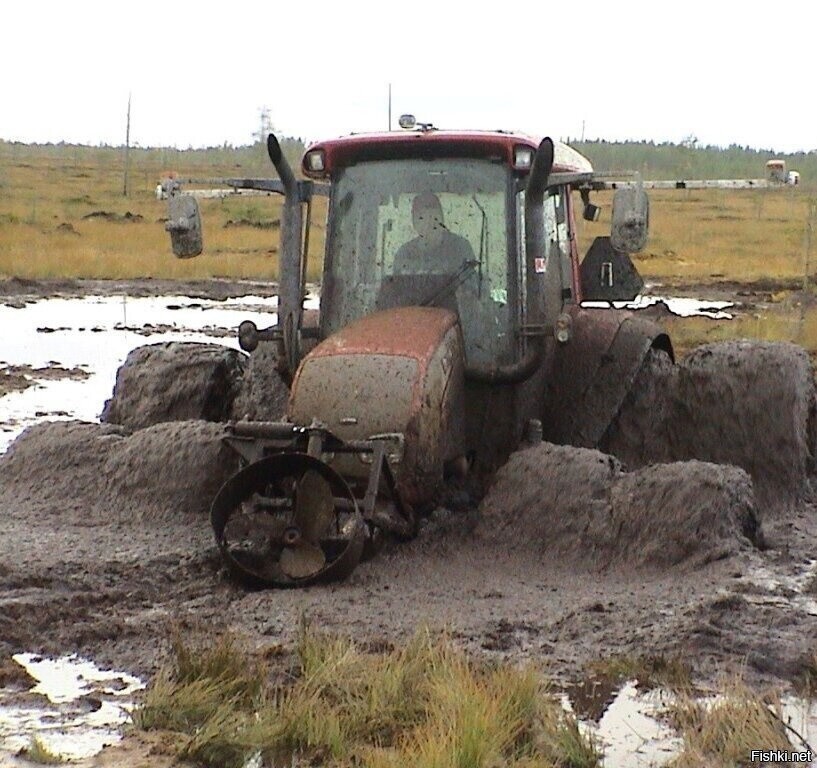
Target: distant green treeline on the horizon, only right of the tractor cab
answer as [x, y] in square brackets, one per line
[669, 161]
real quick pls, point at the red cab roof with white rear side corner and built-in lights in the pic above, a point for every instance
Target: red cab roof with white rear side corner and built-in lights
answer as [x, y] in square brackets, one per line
[393, 145]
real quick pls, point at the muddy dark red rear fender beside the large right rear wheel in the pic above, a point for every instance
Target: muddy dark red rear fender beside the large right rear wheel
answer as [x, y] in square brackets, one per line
[590, 376]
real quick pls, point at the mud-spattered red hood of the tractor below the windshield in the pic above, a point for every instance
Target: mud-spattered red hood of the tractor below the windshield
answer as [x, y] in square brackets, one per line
[396, 373]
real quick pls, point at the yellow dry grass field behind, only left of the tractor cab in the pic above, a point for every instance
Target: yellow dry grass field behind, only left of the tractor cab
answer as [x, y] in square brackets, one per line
[44, 200]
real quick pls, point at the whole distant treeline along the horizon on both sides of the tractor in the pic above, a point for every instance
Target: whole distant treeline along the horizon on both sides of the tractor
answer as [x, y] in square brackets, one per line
[654, 161]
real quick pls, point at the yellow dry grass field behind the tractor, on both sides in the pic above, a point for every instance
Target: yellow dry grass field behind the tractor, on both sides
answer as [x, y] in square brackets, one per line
[696, 236]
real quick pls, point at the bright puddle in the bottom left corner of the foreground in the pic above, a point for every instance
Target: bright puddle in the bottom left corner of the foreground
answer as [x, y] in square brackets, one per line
[74, 710]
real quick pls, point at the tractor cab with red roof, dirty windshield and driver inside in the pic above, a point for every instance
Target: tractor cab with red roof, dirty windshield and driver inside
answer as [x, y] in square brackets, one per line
[436, 219]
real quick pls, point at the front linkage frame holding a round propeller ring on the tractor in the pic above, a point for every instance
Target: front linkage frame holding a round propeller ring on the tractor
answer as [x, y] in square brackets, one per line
[289, 519]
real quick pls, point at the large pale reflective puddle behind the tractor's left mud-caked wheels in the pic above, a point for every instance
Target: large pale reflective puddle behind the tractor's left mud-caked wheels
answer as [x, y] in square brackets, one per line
[95, 334]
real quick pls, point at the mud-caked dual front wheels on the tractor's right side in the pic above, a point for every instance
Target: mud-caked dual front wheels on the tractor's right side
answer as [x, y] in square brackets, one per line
[577, 507]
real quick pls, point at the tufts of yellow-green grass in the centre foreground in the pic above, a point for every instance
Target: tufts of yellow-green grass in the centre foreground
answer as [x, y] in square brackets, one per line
[426, 705]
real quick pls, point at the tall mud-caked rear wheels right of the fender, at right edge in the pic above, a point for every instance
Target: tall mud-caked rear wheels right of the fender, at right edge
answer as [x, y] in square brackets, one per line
[751, 404]
